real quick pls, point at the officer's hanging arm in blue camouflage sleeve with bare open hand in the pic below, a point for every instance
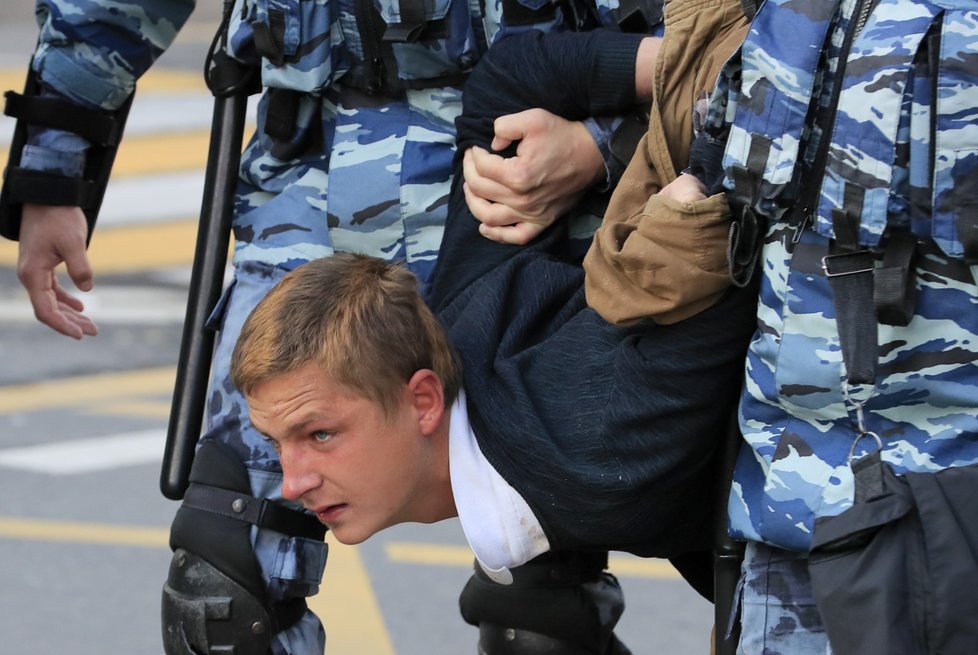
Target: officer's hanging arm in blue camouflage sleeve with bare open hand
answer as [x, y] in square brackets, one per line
[90, 54]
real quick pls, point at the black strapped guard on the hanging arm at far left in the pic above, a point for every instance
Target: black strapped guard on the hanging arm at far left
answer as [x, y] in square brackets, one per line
[102, 129]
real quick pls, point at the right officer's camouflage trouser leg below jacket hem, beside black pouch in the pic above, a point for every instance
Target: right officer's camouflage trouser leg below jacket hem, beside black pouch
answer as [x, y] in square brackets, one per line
[777, 606]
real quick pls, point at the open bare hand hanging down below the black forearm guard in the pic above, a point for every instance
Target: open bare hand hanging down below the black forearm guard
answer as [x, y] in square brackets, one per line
[50, 235]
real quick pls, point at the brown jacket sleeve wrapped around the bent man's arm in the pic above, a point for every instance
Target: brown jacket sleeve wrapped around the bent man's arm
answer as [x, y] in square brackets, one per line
[652, 256]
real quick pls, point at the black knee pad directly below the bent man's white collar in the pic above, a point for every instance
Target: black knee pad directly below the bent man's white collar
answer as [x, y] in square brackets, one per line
[557, 603]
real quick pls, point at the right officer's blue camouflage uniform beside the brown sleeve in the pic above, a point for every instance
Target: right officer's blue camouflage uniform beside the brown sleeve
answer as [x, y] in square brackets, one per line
[878, 124]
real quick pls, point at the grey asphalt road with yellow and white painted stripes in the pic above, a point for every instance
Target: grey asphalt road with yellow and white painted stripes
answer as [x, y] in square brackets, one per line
[83, 526]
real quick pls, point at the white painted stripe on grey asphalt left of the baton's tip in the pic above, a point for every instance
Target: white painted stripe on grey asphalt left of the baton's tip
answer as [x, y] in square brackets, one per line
[87, 455]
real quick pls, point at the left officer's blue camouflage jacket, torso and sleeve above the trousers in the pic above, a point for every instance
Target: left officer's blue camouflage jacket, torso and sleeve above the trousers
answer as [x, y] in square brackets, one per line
[95, 50]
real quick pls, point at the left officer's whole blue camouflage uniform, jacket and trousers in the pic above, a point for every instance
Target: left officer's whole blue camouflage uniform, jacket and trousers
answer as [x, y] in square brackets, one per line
[364, 165]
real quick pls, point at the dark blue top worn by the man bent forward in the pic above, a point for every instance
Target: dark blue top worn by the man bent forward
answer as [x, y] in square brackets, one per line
[609, 433]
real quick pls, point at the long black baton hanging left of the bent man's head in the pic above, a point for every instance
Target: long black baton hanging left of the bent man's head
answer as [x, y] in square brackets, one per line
[231, 83]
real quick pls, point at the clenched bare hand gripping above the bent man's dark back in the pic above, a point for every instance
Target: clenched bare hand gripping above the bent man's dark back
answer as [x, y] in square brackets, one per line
[518, 197]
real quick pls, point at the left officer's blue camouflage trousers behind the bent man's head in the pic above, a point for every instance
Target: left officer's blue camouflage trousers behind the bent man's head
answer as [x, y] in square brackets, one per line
[382, 191]
